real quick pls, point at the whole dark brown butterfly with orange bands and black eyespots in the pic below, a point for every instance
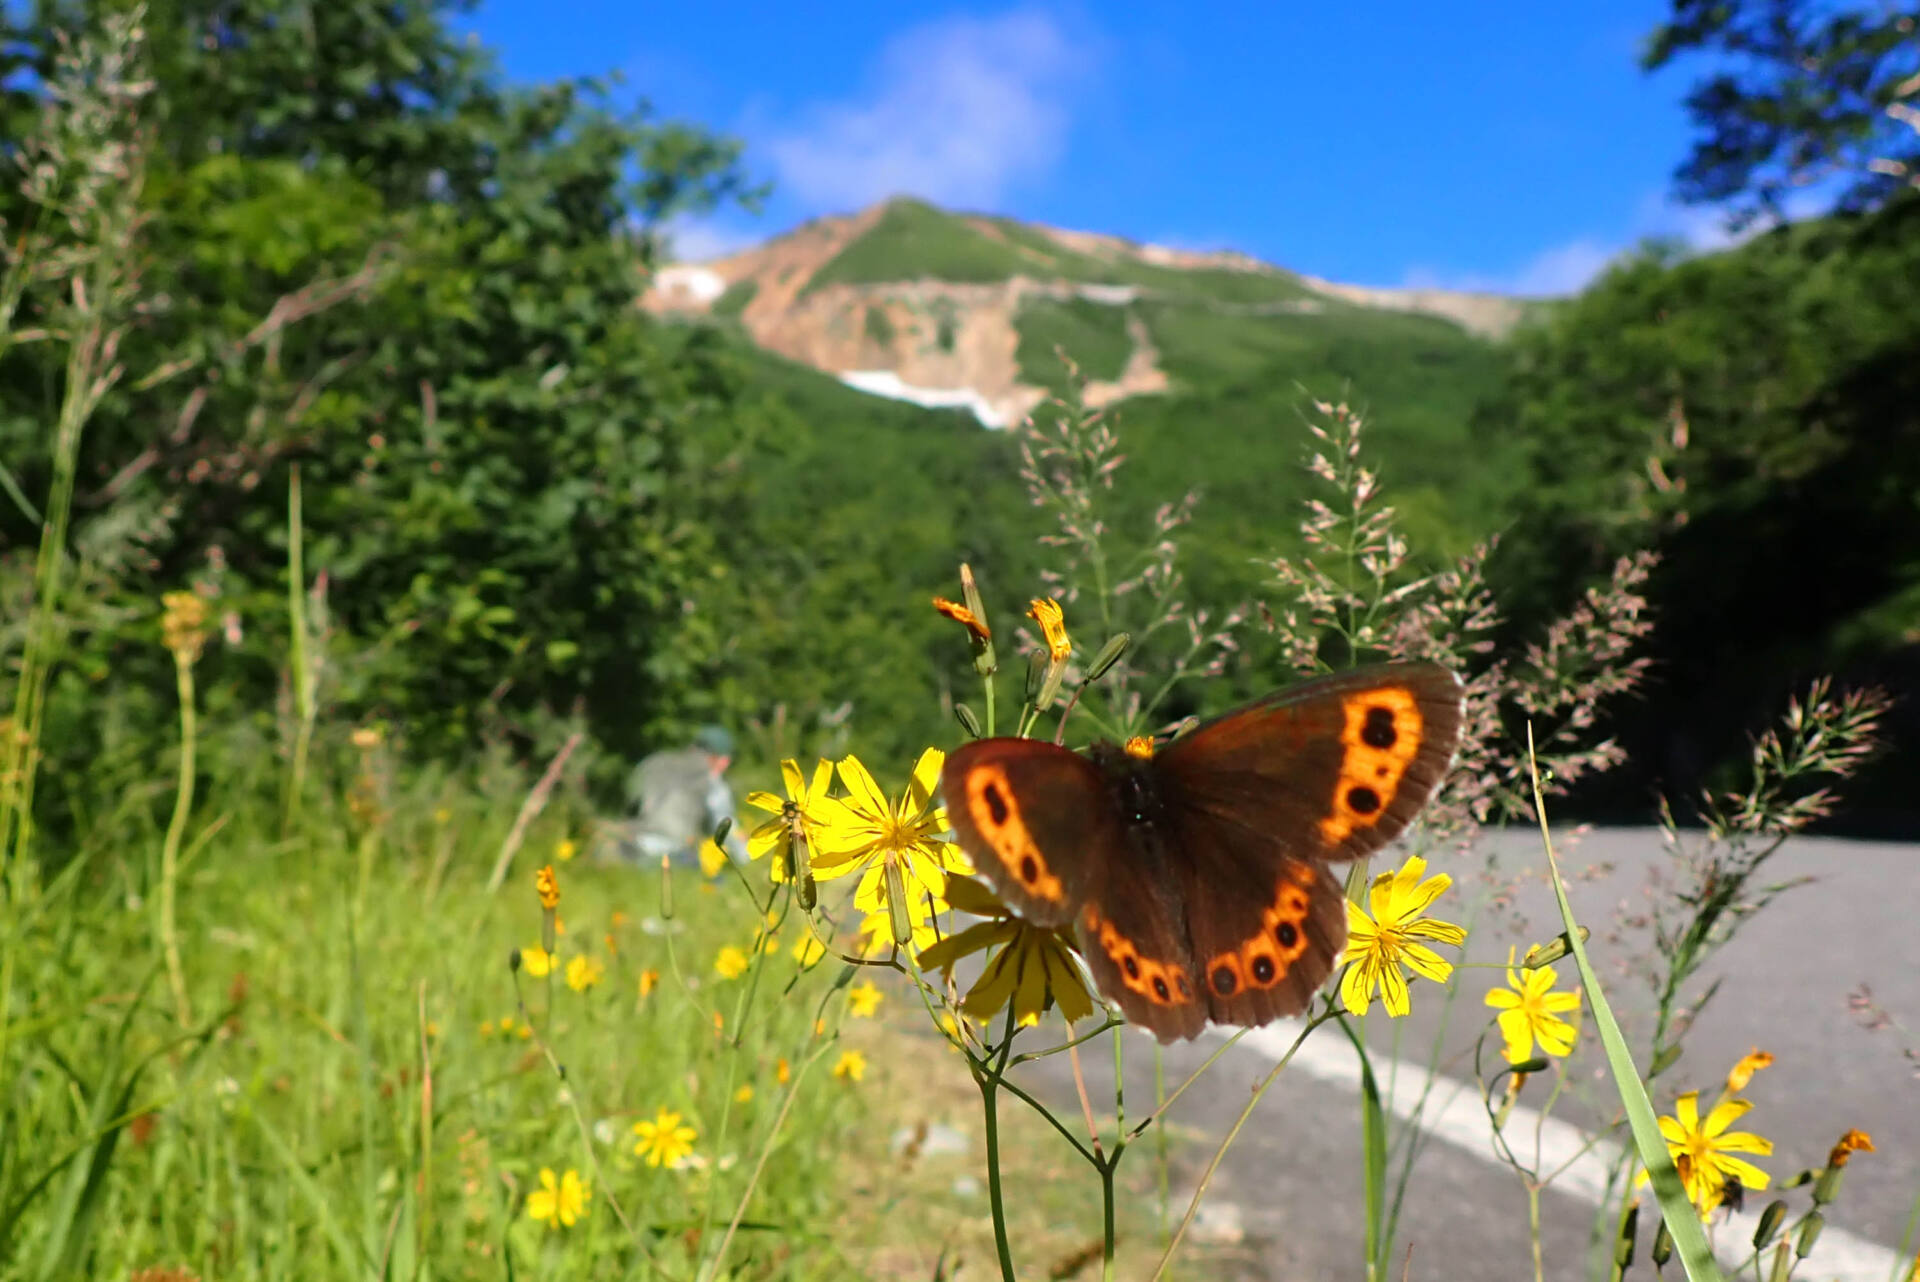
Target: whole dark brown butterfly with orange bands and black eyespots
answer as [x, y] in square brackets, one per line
[1199, 878]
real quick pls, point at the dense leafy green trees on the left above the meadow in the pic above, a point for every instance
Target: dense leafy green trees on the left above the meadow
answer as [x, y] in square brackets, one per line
[368, 256]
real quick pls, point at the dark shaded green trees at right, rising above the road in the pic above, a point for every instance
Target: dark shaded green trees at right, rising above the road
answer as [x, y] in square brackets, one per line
[1754, 417]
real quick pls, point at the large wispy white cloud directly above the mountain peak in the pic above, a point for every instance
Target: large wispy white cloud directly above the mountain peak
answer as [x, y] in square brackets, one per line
[957, 112]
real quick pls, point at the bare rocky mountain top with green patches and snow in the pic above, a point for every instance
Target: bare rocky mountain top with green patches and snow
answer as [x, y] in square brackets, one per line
[942, 308]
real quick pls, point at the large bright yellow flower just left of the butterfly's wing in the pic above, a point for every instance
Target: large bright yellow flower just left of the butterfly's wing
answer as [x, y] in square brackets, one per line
[873, 836]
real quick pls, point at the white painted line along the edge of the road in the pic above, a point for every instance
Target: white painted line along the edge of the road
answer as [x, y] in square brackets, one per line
[1454, 1114]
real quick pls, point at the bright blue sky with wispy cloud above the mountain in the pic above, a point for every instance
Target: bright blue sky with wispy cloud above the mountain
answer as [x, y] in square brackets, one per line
[1489, 145]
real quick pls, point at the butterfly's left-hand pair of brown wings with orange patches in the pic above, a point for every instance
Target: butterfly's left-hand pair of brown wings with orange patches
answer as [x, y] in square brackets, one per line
[1044, 828]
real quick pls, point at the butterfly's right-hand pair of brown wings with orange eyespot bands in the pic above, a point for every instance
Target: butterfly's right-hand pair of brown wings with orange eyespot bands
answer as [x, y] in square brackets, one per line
[1260, 801]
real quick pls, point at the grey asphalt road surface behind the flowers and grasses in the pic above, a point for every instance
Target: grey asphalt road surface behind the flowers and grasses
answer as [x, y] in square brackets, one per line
[1293, 1179]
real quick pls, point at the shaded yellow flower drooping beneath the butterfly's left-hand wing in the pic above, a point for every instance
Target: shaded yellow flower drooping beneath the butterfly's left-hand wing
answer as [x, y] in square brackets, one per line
[1034, 966]
